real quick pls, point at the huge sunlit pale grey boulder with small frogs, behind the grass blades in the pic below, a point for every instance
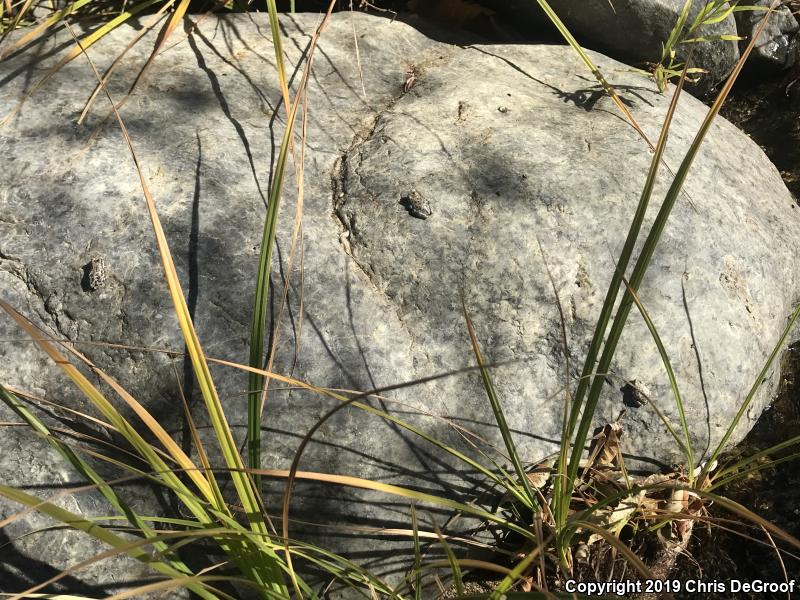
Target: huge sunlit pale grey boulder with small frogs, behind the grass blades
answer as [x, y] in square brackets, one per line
[525, 166]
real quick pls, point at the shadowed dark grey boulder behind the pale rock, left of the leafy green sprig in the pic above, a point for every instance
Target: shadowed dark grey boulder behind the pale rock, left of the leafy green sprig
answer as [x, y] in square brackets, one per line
[634, 31]
